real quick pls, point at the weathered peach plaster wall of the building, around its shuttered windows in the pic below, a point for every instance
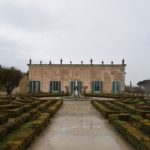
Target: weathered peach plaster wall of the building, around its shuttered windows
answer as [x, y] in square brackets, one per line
[81, 72]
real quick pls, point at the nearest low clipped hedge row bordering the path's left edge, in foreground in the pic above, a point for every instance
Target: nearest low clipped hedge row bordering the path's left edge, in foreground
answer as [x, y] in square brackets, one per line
[20, 139]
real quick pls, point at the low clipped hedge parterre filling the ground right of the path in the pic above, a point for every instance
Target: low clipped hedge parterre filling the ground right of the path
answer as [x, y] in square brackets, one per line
[130, 117]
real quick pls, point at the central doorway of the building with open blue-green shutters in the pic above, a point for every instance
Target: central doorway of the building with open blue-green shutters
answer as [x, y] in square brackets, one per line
[73, 86]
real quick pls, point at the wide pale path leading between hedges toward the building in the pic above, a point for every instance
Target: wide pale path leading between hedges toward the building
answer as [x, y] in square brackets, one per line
[78, 126]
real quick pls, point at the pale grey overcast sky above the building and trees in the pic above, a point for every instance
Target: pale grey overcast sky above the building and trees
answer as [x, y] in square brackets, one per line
[76, 30]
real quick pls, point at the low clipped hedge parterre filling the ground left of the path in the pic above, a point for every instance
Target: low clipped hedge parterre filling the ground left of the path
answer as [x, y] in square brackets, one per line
[22, 119]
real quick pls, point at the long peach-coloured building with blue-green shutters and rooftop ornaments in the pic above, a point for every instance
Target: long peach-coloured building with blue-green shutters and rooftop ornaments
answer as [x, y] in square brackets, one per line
[89, 78]
